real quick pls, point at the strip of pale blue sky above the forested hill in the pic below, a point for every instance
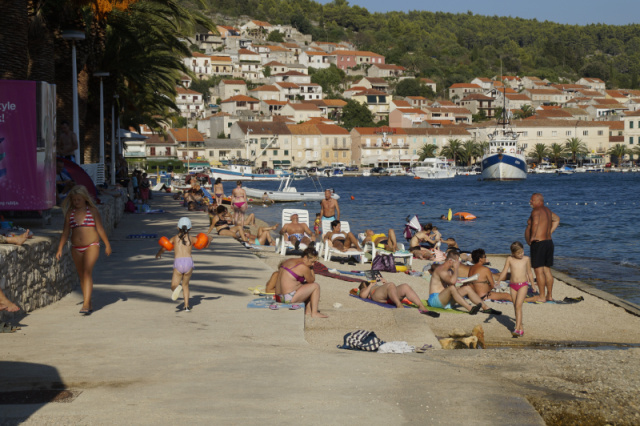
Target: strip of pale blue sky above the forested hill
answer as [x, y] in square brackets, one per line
[580, 12]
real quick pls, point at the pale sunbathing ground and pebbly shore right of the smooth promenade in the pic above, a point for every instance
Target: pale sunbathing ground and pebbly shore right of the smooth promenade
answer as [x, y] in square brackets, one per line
[576, 364]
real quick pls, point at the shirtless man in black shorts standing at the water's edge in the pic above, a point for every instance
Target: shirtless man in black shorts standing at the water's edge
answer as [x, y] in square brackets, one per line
[540, 226]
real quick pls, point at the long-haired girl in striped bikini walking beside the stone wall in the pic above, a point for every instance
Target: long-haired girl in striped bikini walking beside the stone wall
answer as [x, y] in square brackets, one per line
[82, 220]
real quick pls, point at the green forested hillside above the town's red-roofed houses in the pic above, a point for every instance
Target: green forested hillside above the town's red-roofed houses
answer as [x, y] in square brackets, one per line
[453, 48]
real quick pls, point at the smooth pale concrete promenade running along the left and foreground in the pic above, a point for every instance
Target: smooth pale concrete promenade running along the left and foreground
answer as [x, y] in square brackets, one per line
[138, 359]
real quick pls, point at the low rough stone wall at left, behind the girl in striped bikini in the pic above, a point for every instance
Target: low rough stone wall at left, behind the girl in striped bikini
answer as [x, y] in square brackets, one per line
[30, 275]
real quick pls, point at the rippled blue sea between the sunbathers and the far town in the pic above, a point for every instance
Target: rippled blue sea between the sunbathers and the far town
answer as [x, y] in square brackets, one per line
[597, 240]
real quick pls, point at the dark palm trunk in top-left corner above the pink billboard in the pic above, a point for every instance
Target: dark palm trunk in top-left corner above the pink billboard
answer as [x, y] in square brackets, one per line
[14, 59]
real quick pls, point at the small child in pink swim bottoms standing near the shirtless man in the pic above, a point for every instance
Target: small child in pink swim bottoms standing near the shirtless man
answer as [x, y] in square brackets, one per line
[521, 276]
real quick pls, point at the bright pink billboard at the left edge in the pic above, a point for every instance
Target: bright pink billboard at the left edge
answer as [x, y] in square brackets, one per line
[27, 171]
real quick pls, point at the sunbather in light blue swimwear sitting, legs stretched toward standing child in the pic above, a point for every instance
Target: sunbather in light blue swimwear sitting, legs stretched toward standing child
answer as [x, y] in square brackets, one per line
[443, 288]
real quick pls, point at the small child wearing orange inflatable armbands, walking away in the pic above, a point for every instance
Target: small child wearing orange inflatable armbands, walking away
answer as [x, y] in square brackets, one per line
[183, 263]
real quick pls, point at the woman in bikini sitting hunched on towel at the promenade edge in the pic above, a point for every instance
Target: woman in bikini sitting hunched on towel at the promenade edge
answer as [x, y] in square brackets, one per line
[296, 283]
